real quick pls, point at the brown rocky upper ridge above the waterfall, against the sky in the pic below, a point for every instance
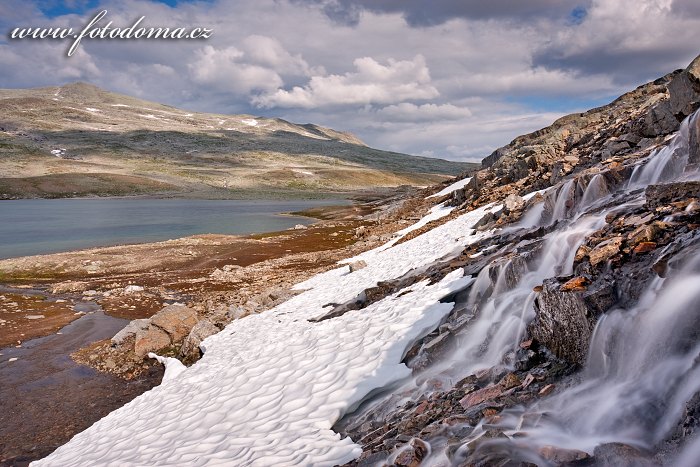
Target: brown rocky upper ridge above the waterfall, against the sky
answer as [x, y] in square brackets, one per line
[609, 134]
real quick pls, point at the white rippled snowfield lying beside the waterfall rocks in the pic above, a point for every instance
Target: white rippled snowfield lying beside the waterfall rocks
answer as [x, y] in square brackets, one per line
[270, 386]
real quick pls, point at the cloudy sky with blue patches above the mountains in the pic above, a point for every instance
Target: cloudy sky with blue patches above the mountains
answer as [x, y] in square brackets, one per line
[445, 78]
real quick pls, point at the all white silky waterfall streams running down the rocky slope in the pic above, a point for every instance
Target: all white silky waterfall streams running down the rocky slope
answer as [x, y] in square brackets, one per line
[643, 363]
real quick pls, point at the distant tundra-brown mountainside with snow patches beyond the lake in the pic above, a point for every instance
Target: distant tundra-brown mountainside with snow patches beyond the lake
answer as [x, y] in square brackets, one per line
[79, 140]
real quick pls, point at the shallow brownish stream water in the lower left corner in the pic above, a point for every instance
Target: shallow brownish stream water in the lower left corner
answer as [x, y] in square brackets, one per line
[46, 398]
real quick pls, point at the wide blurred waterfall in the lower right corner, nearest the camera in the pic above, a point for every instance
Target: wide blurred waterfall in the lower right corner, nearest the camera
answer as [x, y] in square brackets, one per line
[642, 368]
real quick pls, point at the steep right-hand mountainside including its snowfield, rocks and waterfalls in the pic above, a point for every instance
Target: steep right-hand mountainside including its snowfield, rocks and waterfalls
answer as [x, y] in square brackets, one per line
[542, 312]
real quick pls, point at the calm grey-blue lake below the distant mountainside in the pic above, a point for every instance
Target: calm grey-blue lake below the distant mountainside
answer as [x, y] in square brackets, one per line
[40, 226]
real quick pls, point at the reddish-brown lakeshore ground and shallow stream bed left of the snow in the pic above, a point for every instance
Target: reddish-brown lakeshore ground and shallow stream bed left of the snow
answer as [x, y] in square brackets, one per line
[205, 272]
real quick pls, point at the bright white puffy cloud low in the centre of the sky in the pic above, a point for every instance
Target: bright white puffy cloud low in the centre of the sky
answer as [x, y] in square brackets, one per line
[371, 83]
